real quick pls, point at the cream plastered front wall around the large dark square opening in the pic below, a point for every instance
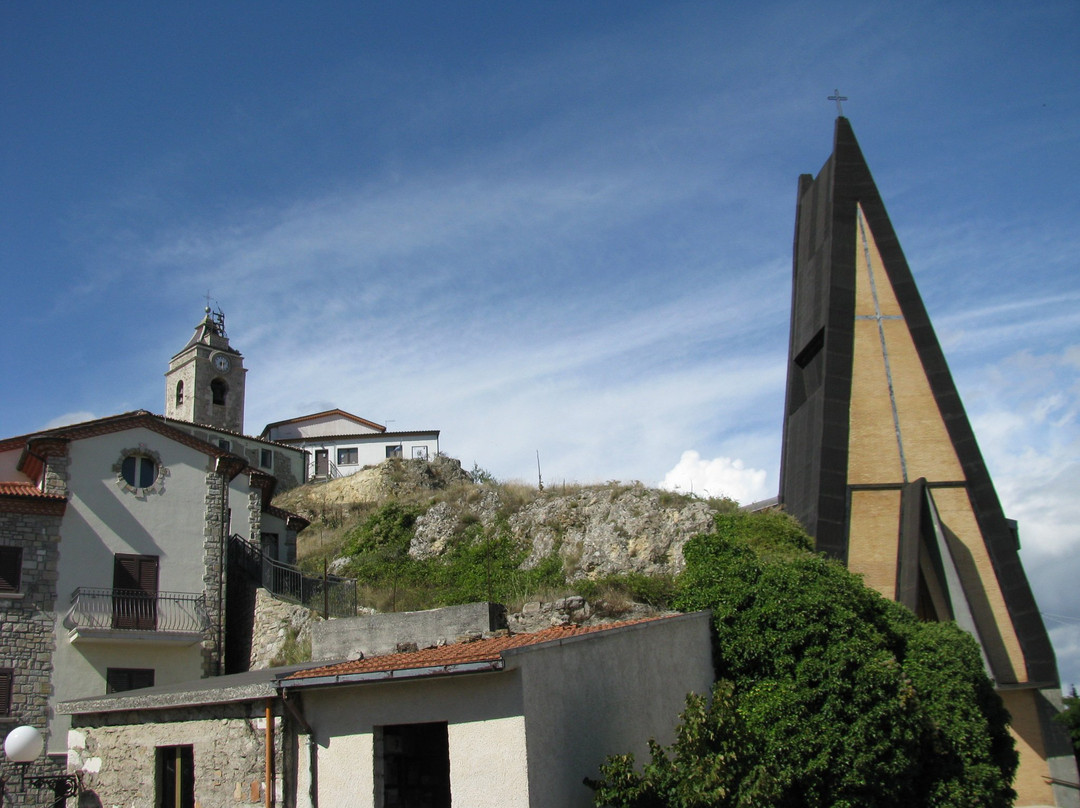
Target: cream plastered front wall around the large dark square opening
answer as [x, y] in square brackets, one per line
[487, 734]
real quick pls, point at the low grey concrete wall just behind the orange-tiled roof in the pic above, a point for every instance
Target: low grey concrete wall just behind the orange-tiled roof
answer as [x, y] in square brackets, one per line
[373, 635]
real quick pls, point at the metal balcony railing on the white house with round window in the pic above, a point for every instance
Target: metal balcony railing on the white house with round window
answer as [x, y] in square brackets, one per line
[128, 610]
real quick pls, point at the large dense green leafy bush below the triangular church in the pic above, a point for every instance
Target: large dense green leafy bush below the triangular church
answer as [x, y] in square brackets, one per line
[844, 697]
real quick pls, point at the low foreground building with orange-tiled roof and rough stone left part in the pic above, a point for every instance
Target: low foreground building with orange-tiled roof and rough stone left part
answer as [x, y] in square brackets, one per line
[507, 722]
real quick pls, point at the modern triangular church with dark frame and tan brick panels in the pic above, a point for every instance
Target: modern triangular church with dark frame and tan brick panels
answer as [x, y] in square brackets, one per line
[880, 461]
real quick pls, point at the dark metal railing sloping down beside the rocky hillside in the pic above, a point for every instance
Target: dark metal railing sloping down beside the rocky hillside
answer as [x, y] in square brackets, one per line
[330, 596]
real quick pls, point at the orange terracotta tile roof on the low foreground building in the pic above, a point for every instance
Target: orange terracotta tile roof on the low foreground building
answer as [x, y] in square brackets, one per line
[479, 651]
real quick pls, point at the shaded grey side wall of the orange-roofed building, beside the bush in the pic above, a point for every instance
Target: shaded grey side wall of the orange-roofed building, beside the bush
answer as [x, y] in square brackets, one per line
[606, 694]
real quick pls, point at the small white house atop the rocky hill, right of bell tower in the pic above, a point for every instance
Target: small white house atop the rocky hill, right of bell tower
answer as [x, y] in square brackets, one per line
[340, 445]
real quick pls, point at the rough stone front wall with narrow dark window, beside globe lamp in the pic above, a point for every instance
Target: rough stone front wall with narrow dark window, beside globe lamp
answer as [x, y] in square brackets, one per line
[115, 757]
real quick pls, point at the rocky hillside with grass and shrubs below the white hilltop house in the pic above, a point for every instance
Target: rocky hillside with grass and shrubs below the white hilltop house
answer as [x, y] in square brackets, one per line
[420, 535]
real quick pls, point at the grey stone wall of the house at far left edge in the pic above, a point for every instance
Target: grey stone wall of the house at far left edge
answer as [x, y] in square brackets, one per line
[28, 639]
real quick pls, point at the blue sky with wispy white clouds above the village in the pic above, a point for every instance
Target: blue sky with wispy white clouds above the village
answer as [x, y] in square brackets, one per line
[552, 227]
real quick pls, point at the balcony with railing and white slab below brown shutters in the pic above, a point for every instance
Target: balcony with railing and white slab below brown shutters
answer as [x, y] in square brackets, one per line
[133, 616]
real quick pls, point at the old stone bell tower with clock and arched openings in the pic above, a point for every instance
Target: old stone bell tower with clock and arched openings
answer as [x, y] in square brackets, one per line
[206, 381]
